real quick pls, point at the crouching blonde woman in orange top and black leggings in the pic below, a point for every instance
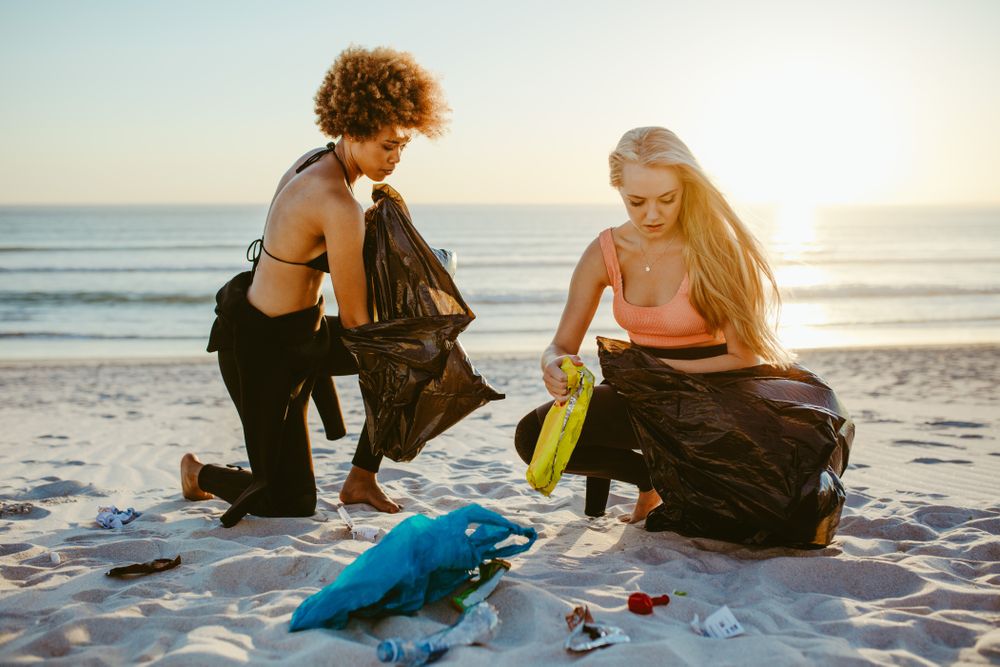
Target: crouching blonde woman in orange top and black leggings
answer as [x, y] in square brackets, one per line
[691, 286]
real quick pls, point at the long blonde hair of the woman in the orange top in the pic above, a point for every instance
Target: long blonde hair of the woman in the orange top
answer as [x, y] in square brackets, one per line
[728, 272]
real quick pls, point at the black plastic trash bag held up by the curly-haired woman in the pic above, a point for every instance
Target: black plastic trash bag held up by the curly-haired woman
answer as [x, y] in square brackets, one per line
[415, 378]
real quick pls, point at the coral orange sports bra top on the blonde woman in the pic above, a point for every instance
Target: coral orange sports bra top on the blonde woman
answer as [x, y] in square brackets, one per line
[672, 324]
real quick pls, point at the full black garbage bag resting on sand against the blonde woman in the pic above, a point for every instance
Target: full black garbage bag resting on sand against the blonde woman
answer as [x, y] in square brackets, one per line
[751, 455]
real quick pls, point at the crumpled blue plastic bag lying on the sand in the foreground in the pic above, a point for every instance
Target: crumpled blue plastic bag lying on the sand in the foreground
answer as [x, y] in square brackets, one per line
[421, 560]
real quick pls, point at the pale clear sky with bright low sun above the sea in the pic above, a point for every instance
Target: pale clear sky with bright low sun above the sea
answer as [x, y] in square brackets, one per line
[888, 102]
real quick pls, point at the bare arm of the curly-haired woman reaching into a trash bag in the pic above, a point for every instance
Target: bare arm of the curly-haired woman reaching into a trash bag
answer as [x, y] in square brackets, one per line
[344, 233]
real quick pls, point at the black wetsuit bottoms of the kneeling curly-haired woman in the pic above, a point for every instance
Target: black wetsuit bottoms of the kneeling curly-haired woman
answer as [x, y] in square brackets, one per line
[270, 366]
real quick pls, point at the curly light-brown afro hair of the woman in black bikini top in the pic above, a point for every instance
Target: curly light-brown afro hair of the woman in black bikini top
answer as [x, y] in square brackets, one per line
[367, 90]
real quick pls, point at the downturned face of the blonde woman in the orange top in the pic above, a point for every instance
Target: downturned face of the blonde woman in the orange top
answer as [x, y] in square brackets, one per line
[652, 197]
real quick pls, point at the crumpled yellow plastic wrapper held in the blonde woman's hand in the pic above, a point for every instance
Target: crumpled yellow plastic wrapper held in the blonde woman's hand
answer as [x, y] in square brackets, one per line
[561, 430]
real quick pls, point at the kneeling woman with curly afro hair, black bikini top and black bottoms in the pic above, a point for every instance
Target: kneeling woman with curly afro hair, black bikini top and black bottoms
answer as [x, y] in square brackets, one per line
[271, 334]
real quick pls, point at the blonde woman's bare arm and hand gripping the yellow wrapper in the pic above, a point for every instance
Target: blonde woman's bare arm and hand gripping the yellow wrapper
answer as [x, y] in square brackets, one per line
[588, 282]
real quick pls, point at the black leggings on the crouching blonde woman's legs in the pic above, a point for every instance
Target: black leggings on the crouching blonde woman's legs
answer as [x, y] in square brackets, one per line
[606, 449]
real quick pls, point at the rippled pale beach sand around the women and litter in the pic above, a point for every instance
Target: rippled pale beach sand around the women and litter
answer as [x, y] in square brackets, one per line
[912, 578]
